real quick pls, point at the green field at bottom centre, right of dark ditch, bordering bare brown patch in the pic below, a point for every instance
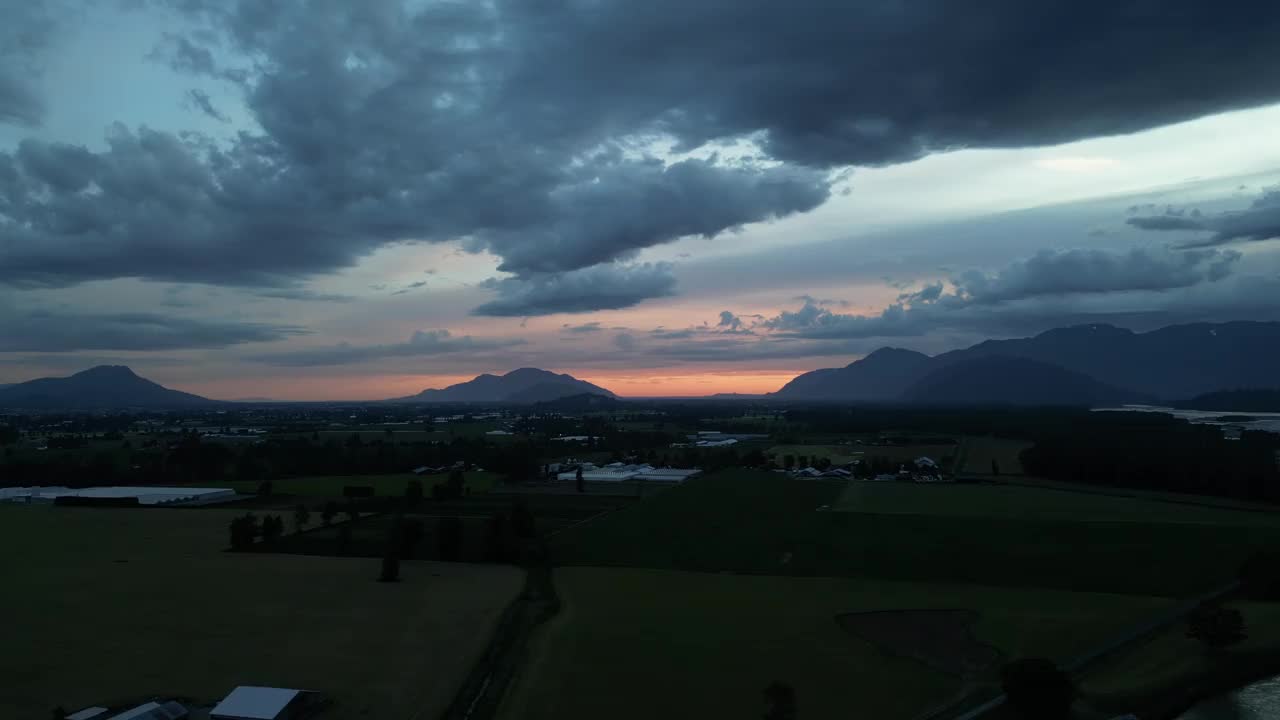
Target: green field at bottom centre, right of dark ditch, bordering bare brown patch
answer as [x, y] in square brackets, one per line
[651, 644]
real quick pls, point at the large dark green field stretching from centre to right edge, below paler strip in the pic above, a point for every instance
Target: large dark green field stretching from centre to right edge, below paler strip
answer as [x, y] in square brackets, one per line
[764, 523]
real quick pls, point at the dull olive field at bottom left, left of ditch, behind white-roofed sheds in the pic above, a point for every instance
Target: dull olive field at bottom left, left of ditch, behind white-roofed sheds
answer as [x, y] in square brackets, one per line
[122, 604]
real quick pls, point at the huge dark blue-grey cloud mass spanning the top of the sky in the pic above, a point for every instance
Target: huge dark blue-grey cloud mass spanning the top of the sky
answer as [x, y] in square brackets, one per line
[523, 126]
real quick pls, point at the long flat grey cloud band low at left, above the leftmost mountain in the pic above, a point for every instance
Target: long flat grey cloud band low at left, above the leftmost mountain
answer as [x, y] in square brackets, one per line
[67, 332]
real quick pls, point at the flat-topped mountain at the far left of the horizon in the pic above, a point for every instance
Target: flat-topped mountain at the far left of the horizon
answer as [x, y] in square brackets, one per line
[106, 388]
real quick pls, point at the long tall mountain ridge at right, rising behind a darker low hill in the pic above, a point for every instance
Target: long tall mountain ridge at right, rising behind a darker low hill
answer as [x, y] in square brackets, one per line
[1173, 363]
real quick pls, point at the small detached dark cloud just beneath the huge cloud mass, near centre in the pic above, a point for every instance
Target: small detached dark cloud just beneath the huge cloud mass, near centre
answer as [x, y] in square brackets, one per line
[602, 288]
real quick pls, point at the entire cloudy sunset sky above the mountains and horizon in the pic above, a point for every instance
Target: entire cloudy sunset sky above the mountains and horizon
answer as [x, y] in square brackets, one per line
[322, 200]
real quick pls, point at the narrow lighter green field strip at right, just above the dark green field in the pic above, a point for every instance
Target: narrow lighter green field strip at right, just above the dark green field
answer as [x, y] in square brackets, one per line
[1032, 503]
